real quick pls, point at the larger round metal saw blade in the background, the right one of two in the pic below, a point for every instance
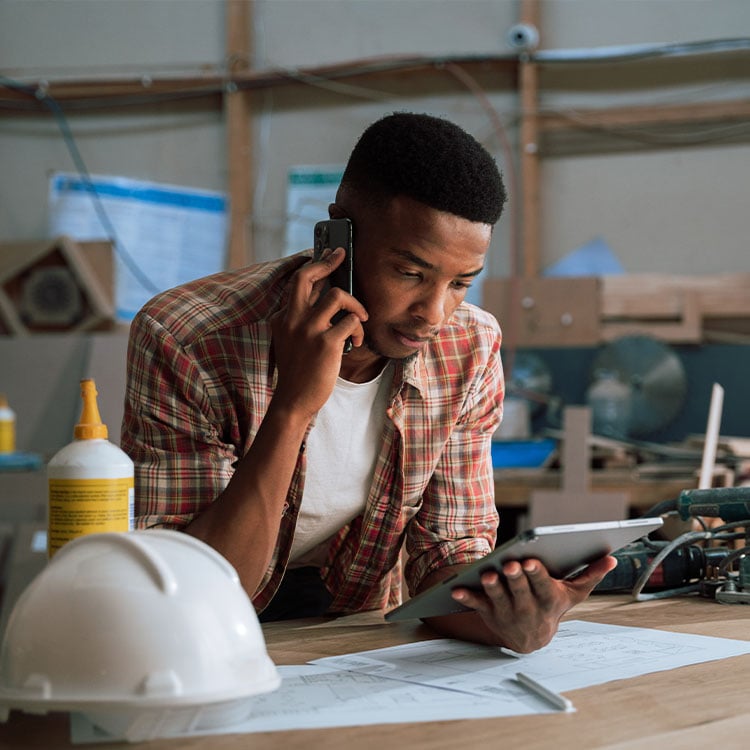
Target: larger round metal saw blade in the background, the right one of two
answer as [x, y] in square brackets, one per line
[655, 376]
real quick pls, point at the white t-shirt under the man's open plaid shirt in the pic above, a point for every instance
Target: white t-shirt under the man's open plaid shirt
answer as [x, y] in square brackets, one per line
[342, 448]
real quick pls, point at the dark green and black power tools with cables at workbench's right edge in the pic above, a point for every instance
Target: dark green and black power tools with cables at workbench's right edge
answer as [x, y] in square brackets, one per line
[706, 562]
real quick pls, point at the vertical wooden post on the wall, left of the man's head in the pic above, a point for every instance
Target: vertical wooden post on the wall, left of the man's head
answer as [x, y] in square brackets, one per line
[237, 111]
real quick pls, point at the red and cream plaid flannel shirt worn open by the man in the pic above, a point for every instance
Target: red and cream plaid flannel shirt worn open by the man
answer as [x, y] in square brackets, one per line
[200, 379]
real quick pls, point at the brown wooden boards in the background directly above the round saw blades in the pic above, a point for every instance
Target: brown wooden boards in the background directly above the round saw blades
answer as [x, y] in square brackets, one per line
[590, 310]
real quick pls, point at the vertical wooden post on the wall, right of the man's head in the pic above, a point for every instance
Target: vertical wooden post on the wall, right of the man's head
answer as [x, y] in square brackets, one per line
[529, 157]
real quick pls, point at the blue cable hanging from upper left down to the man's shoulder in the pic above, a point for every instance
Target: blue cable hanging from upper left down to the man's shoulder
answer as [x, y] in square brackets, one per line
[82, 169]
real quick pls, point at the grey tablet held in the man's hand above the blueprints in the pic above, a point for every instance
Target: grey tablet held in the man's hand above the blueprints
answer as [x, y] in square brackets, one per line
[565, 550]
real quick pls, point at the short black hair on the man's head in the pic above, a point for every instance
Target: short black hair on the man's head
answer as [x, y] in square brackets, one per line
[430, 160]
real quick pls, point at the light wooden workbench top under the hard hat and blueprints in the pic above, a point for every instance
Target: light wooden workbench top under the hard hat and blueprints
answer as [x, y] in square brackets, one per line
[695, 706]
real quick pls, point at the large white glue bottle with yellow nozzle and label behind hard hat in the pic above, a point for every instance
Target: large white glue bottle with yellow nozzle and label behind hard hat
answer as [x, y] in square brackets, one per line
[91, 481]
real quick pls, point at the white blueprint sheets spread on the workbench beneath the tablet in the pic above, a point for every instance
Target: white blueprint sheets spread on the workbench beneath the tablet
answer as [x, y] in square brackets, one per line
[445, 679]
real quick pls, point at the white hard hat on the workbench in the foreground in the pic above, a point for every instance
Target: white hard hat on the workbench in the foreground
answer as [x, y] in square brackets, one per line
[148, 633]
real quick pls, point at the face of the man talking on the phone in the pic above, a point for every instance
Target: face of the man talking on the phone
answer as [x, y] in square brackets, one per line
[413, 265]
